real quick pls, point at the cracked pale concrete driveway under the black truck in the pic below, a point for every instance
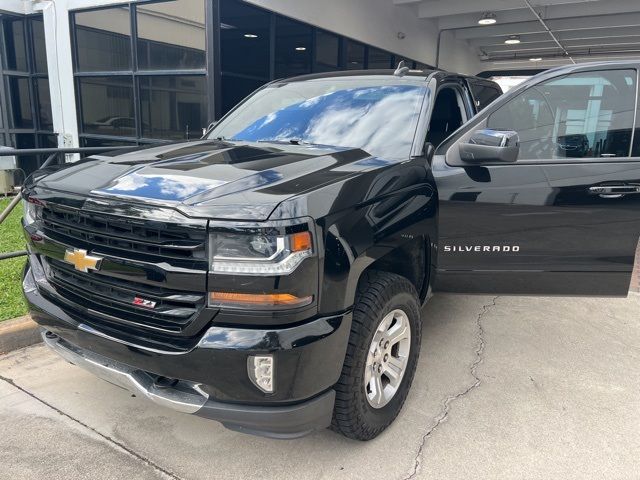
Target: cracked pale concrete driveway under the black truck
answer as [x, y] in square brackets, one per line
[507, 387]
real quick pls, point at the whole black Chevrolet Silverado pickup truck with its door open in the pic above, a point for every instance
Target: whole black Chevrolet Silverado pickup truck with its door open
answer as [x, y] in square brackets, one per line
[271, 275]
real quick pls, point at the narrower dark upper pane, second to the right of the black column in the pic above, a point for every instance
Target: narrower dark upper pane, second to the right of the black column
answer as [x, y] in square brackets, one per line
[293, 48]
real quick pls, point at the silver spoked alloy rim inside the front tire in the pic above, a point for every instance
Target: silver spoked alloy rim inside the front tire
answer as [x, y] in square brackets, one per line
[387, 358]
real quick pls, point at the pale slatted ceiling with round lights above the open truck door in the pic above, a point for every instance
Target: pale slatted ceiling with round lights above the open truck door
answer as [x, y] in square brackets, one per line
[586, 29]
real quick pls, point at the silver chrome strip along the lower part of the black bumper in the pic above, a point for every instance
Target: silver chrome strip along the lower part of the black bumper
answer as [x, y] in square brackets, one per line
[182, 396]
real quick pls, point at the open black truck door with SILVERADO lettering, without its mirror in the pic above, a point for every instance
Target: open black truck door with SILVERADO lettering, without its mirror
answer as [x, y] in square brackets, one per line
[564, 217]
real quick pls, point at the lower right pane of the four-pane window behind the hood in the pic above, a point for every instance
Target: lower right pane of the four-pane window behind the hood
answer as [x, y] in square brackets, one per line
[173, 107]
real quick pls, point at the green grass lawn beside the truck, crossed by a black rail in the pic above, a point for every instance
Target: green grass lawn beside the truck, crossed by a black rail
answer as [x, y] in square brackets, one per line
[11, 239]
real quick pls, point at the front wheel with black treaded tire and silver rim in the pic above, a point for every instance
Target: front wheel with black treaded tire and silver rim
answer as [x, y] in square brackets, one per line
[382, 356]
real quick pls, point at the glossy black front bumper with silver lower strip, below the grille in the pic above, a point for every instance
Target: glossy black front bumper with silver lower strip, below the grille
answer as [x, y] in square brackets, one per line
[211, 379]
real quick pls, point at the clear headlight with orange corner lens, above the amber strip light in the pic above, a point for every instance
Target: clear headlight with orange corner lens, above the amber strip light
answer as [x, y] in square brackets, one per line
[262, 252]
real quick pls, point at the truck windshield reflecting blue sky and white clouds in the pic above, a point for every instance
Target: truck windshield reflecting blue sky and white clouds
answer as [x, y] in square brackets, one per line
[377, 115]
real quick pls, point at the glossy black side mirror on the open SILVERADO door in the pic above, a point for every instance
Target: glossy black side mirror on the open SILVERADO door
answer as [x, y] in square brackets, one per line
[488, 146]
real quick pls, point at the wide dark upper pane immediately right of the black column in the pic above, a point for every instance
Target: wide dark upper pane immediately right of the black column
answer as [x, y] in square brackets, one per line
[245, 39]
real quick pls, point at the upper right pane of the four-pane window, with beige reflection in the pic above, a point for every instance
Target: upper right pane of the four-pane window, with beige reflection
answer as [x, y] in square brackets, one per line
[171, 35]
